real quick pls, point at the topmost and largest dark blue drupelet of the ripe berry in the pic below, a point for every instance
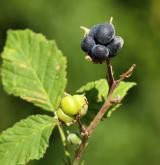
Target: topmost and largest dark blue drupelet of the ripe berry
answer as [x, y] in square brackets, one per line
[104, 33]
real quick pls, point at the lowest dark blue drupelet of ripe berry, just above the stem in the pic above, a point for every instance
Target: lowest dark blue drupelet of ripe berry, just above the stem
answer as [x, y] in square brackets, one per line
[99, 53]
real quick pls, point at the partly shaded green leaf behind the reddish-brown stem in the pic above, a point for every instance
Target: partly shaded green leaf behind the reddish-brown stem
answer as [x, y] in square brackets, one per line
[96, 93]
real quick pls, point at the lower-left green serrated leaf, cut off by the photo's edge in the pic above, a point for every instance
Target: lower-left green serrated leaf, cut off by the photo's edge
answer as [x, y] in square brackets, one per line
[26, 140]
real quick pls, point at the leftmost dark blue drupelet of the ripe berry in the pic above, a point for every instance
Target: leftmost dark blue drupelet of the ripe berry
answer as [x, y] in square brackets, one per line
[87, 44]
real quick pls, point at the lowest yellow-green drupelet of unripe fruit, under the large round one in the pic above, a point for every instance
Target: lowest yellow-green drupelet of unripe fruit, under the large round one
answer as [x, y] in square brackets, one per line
[64, 117]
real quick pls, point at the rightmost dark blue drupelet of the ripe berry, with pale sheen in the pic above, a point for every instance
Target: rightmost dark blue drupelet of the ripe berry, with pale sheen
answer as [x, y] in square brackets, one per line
[115, 46]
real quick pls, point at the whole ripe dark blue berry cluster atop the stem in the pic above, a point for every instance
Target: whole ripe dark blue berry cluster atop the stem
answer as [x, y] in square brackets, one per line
[101, 43]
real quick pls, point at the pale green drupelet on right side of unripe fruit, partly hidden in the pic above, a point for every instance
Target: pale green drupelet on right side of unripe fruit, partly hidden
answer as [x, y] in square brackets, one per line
[83, 104]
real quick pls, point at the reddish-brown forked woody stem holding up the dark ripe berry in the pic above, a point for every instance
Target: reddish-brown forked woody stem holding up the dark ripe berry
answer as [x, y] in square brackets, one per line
[108, 103]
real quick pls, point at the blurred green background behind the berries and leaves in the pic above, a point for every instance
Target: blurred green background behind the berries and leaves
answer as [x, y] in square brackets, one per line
[132, 135]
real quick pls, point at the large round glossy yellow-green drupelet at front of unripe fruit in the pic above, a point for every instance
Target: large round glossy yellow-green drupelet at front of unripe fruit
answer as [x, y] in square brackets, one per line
[69, 105]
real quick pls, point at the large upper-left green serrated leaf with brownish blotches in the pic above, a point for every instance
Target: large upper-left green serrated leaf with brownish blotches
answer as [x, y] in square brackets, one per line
[34, 69]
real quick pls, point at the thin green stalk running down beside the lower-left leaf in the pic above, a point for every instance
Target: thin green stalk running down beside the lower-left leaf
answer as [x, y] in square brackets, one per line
[64, 141]
